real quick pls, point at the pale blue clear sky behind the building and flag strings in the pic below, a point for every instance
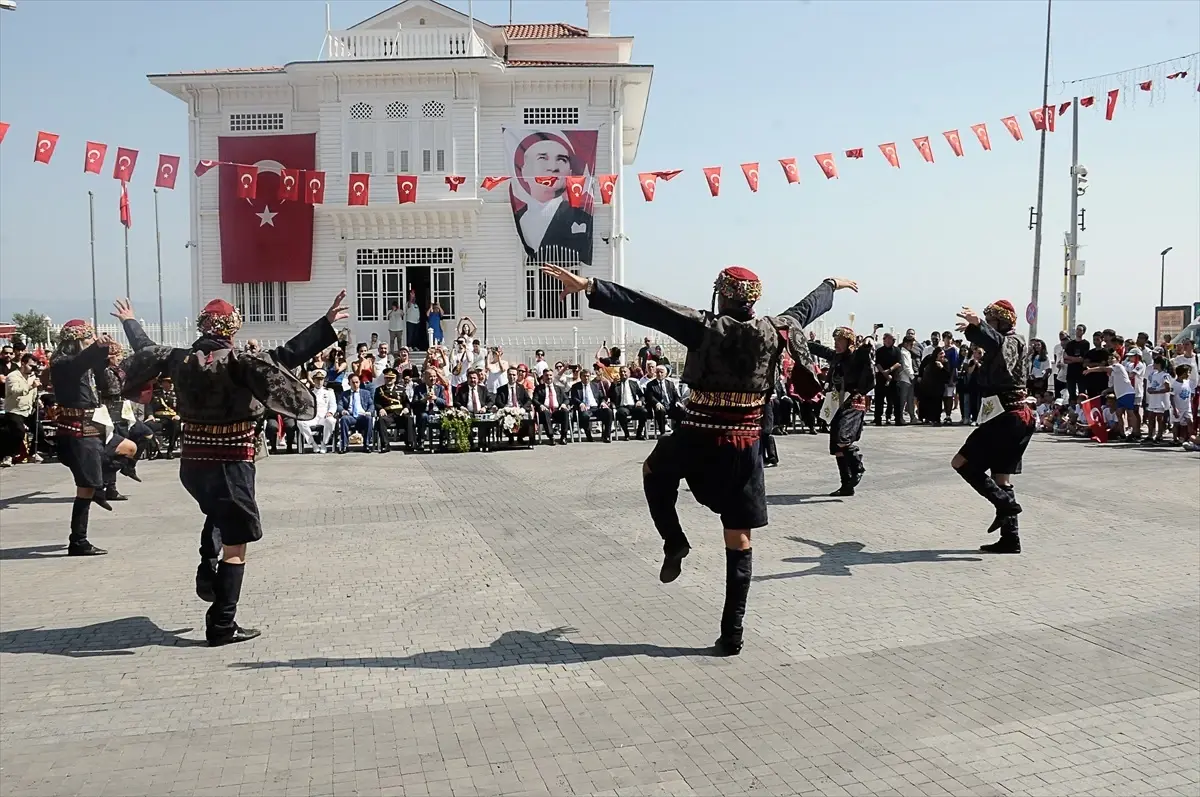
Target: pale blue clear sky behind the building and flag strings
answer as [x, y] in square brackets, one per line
[734, 82]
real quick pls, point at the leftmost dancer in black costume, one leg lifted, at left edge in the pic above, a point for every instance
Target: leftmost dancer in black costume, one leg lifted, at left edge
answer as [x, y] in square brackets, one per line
[86, 438]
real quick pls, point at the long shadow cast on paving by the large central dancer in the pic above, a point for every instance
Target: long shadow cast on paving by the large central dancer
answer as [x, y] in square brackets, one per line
[513, 649]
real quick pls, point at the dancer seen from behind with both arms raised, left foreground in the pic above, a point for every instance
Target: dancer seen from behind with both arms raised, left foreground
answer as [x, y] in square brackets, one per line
[220, 394]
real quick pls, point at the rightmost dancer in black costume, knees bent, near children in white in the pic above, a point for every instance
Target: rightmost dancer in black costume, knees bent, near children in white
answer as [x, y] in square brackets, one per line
[1006, 421]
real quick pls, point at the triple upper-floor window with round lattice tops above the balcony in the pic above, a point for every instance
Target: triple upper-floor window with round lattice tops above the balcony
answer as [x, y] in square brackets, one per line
[403, 141]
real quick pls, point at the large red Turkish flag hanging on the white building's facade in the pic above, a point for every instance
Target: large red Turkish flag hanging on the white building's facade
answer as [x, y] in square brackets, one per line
[266, 239]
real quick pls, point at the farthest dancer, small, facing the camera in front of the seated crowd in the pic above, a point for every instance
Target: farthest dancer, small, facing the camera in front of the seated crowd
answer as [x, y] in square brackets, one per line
[853, 376]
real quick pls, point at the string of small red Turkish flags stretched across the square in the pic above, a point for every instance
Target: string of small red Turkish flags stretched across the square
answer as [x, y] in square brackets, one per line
[309, 185]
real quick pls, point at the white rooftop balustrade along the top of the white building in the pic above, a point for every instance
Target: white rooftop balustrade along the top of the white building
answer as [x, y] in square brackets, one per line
[404, 44]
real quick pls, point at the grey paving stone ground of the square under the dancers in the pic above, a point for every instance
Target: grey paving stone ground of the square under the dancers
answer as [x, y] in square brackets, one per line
[494, 625]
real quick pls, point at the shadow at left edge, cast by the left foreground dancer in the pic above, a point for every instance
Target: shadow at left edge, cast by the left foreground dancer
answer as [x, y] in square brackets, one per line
[111, 638]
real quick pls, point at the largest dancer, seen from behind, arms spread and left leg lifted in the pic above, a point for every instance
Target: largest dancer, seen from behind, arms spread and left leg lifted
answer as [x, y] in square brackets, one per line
[733, 357]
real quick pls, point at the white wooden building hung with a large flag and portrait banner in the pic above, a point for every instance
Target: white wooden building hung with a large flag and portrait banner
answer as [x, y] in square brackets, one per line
[423, 89]
